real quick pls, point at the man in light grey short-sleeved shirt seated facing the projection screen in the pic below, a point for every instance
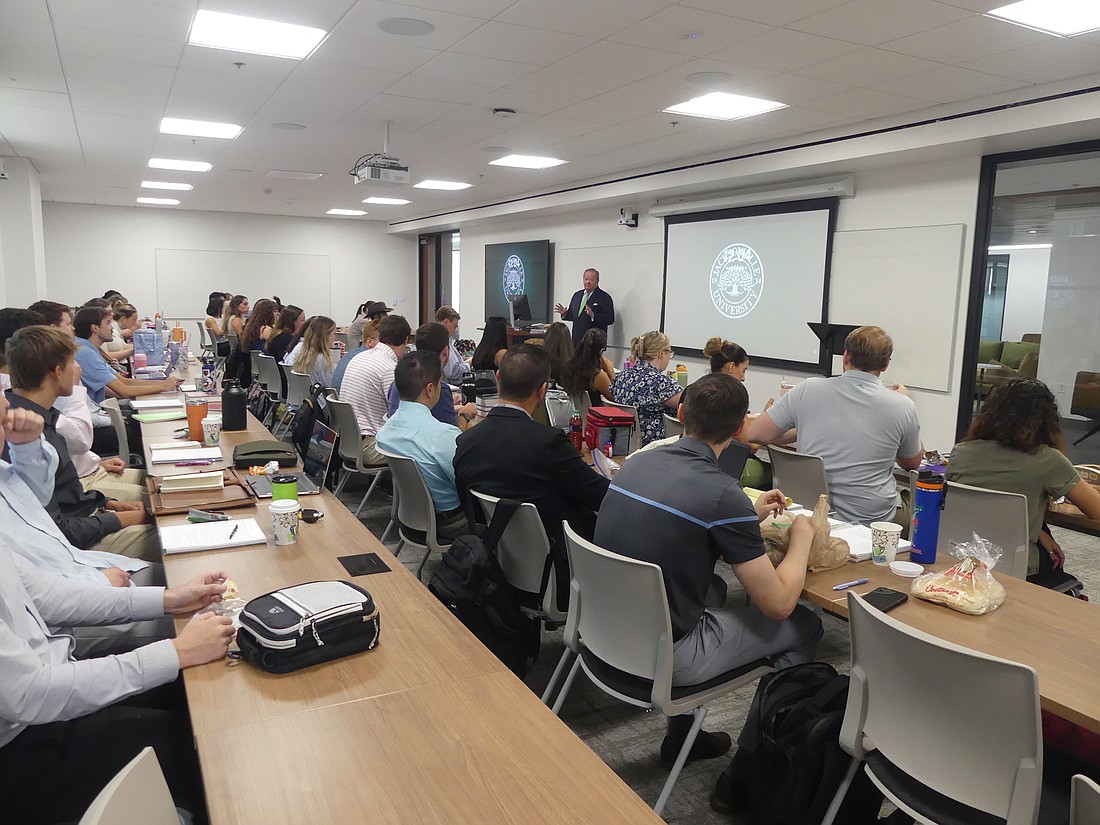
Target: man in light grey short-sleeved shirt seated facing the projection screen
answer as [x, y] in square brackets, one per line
[857, 425]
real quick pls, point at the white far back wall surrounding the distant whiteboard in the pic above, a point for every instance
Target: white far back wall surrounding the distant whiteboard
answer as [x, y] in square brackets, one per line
[92, 249]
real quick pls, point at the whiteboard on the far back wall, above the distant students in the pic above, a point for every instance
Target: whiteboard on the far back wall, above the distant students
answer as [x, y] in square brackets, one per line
[186, 278]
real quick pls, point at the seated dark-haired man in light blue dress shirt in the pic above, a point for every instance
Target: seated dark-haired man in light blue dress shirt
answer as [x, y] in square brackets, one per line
[412, 432]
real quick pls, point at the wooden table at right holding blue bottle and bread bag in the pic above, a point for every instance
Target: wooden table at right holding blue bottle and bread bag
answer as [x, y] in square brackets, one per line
[1057, 635]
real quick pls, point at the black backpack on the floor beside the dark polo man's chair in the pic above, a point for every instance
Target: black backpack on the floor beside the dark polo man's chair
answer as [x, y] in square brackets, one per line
[799, 764]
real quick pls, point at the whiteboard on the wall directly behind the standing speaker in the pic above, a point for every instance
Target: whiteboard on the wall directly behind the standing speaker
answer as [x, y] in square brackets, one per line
[631, 274]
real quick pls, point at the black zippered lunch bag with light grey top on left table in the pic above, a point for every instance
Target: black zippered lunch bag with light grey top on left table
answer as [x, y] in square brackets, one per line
[309, 624]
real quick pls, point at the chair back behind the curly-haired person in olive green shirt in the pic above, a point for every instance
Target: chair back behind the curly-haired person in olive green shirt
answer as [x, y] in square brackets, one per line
[996, 516]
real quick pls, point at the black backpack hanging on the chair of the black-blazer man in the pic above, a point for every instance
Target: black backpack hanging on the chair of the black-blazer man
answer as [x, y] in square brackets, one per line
[472, 587]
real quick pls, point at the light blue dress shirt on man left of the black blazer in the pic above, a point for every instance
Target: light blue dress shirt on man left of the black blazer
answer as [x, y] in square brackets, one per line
[414, 433]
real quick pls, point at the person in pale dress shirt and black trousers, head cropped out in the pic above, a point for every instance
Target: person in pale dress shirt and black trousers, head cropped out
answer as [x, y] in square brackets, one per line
[68, 727]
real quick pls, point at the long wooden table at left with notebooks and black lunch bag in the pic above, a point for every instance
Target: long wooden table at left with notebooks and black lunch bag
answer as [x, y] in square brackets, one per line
[428, 728]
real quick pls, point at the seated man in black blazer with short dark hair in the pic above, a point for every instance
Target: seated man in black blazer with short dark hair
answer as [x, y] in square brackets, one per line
[511, 456]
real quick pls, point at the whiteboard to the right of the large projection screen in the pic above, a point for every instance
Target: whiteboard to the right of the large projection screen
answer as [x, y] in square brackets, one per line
[897, 279]
